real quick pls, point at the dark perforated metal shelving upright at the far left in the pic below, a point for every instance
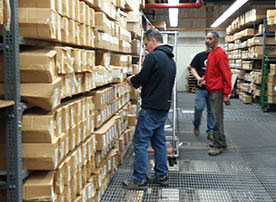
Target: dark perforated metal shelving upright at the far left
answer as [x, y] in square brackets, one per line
[11, 179]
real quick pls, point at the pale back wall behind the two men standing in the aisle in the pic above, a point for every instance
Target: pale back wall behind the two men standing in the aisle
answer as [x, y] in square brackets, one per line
[189, 44]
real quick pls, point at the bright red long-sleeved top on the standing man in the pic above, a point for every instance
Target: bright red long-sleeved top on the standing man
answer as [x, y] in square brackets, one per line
[218, 74]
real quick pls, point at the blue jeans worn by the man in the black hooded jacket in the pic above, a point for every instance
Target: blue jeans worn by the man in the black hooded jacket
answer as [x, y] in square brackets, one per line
[150, 129]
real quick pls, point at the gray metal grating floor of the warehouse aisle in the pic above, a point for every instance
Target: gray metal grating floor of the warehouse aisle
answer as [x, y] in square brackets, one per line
[245, 172]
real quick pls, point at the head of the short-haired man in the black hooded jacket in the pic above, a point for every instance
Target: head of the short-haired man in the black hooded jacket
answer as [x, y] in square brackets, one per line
[152, 39]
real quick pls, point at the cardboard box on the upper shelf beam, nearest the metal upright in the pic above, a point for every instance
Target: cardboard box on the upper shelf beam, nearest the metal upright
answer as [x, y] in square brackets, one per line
[42, 27]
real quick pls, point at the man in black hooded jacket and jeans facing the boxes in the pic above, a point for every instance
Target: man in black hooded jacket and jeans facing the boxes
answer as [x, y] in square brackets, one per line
[157, 79]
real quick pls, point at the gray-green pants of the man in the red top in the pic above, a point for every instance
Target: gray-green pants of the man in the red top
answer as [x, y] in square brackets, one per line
[216, 101]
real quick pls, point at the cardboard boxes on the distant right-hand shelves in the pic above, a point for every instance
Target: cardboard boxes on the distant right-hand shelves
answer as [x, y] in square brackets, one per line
[243, 48]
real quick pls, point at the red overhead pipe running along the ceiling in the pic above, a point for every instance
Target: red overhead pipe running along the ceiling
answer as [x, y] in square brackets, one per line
[197, 4]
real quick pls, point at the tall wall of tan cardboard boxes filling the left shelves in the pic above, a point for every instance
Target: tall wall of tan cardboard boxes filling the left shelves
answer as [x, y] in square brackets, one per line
[80, 120]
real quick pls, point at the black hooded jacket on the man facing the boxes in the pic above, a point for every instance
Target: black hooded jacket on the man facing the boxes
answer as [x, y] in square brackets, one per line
[157, 78]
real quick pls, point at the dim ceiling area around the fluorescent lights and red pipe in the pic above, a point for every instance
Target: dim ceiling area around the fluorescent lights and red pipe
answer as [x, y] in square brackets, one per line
[200, 19]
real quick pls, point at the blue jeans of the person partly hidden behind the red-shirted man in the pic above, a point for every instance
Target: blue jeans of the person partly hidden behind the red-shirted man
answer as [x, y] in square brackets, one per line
[202, 100]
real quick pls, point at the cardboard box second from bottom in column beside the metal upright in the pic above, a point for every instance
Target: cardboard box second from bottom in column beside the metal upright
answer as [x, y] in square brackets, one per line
[45, 158]
